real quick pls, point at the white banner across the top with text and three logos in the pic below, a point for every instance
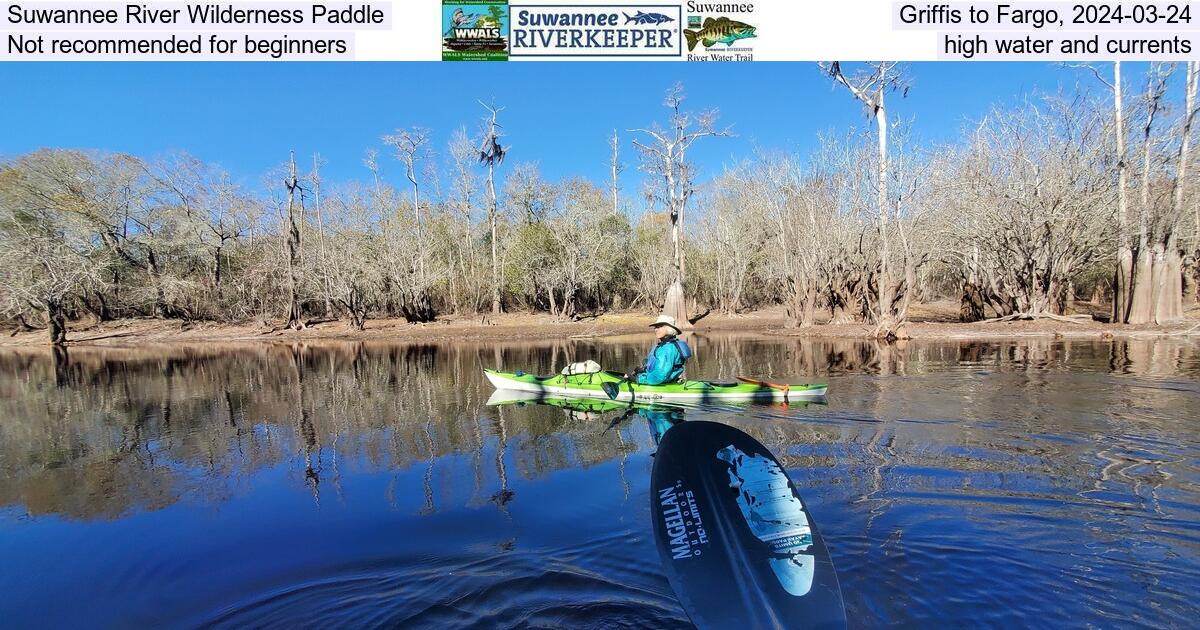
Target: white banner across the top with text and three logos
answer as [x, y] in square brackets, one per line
[763, 31]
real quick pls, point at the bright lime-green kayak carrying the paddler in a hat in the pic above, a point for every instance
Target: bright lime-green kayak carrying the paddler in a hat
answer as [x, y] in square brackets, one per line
[591, 386]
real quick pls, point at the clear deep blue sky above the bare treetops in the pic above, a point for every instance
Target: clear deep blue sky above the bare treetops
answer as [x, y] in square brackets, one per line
[247, 117]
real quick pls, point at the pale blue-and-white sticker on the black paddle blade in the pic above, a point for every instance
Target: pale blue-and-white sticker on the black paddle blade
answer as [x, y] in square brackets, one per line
[775, 515]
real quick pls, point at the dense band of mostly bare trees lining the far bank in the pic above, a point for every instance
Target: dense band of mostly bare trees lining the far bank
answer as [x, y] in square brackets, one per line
[1079, 196]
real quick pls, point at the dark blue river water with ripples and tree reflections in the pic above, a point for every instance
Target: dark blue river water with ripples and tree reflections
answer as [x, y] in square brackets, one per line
[1033, 483]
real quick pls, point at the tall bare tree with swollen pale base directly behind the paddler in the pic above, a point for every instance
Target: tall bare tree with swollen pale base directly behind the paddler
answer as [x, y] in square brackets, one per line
[665, 157]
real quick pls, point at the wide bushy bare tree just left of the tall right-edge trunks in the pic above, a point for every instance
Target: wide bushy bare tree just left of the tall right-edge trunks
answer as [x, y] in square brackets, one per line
[1024, 209]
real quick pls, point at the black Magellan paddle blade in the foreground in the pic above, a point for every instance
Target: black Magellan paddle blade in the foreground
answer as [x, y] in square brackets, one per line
[737, 542]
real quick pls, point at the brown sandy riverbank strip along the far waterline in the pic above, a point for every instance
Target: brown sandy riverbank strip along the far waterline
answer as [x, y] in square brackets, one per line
[934, 321]
